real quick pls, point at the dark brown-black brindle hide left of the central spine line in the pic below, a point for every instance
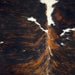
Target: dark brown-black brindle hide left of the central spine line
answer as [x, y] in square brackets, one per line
[24, 51]
